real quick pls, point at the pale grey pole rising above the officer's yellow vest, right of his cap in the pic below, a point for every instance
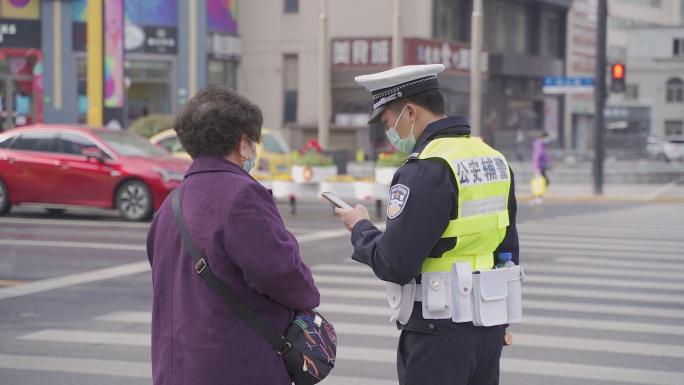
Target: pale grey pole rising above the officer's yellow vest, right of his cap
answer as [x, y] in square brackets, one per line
[476, 69]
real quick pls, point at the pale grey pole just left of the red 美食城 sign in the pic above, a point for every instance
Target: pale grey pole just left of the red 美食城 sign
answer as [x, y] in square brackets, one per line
[323, 77]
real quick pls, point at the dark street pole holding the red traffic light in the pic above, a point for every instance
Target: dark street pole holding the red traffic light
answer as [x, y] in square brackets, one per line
[600, 95]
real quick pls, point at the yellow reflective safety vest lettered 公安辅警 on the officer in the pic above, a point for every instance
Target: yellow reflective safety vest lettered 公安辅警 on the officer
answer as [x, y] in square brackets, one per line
[484, 181]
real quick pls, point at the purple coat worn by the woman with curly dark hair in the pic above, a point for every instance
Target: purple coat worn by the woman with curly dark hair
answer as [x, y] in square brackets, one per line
[196, 338]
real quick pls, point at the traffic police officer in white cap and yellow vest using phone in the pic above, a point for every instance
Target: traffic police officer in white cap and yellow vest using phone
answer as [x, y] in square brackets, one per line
[451, 201]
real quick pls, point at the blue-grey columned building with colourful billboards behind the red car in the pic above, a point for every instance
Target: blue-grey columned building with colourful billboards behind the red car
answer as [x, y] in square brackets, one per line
[170, 49]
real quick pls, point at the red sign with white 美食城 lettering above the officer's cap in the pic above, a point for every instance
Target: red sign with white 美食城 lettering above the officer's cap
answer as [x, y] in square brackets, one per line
[365, 52]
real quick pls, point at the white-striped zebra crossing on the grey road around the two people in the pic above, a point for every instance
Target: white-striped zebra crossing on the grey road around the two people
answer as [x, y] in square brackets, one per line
[603, 304]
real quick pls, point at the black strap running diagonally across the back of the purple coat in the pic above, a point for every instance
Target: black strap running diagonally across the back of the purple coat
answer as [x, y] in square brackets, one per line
[276, 340]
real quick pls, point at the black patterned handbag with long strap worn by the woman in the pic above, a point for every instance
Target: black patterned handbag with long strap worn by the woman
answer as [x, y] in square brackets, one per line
[309, 344]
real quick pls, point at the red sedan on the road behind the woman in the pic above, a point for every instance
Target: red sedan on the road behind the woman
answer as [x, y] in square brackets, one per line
[63, 166]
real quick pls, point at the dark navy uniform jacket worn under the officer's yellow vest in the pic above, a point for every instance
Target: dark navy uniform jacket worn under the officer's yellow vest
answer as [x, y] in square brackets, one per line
[397, 254]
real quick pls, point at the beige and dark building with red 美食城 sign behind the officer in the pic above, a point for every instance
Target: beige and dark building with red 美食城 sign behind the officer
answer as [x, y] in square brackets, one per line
[524, 42]
